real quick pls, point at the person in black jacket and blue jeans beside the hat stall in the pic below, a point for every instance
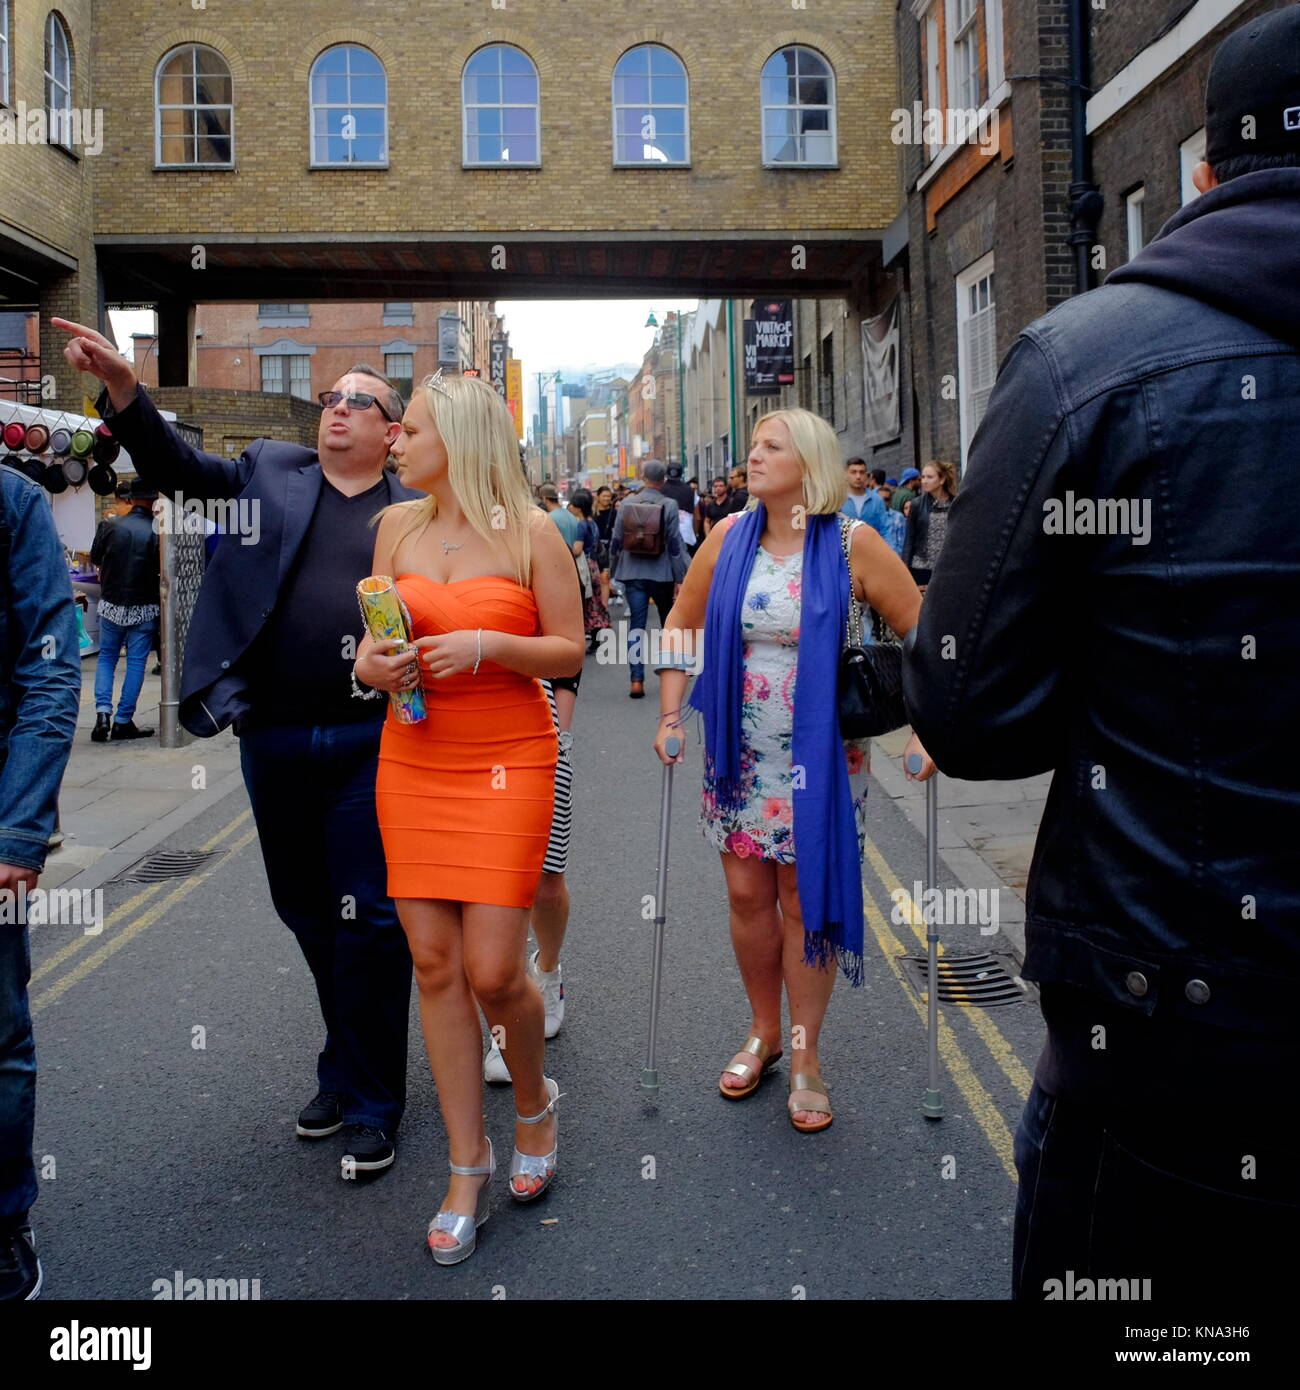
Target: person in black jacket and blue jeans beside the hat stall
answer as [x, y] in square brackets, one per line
[126, 553]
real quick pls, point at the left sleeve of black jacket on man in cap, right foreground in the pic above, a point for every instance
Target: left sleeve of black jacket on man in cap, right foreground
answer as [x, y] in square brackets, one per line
[984, 669]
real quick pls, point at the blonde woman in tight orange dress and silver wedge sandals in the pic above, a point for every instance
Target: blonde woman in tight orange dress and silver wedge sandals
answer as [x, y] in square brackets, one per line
[465, 797]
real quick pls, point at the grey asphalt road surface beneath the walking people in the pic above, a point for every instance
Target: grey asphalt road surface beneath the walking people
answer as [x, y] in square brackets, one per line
[161, 1156]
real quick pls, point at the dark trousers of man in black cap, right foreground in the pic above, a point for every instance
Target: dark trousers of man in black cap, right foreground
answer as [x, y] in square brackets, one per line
[1110, 1196]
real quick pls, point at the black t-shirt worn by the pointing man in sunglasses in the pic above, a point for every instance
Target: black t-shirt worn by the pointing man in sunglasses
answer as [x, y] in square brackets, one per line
[297, 667]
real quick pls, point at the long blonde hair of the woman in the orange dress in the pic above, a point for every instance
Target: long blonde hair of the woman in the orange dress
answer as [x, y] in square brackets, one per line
[483, 468]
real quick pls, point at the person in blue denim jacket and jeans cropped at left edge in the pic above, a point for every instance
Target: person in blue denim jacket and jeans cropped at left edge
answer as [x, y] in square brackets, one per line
[40, 696]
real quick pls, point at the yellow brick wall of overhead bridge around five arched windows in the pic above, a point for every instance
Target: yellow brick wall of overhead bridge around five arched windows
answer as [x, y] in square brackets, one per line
[425, 45]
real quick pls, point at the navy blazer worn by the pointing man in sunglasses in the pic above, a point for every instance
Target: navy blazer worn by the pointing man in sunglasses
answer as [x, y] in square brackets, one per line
[243, 582]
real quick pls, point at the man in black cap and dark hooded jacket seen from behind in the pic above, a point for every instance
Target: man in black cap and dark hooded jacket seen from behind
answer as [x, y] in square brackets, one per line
[1094, 618]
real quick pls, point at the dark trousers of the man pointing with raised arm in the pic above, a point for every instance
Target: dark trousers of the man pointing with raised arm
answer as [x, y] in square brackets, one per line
[312, 789]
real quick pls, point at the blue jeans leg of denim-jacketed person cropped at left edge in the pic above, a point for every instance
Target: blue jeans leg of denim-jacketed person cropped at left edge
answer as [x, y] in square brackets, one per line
[17, 1079]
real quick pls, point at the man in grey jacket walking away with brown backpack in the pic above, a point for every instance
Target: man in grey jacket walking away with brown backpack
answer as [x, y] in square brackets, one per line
[650, 561]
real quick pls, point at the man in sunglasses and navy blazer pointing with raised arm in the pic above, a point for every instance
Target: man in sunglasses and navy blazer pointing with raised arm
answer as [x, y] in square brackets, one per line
[270, 651]
